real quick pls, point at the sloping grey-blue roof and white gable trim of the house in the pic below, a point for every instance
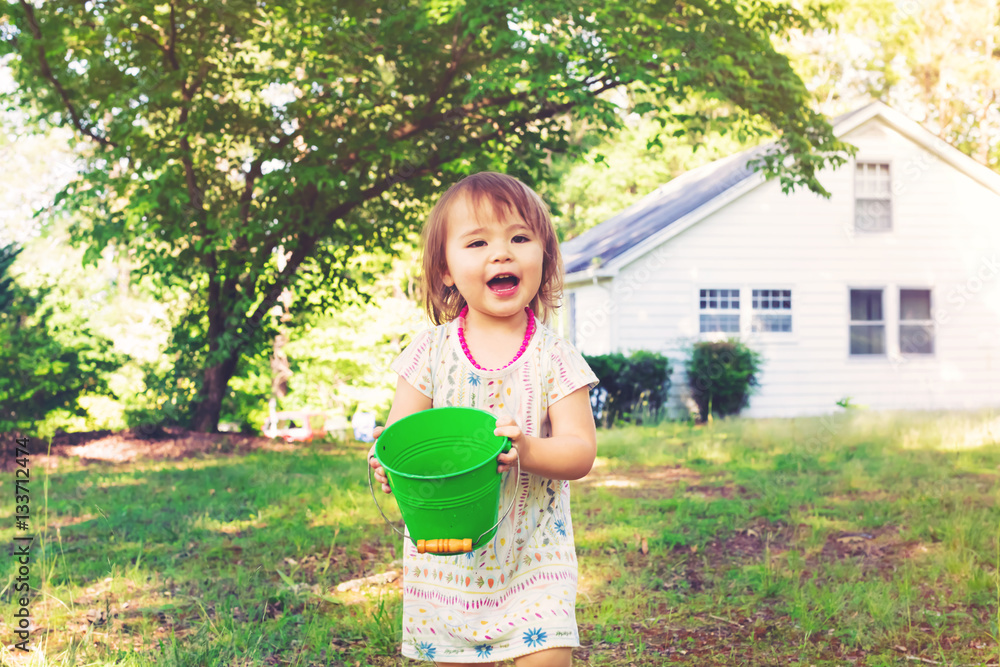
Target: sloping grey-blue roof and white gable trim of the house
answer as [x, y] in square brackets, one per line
[677, 204]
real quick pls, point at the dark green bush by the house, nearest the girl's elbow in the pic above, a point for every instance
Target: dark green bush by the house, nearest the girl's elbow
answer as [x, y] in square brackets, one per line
[632, 388]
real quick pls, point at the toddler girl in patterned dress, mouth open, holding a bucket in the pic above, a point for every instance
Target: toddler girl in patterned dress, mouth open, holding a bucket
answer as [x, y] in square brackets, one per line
[492, 274]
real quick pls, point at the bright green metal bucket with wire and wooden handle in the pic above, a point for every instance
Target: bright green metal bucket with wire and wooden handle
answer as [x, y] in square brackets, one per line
[442, 467]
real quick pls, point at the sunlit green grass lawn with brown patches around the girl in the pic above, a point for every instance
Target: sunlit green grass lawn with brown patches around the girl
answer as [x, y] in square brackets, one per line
[857, 539]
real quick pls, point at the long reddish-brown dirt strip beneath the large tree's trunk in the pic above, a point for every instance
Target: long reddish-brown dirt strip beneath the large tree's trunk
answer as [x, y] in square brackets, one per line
[168, 443]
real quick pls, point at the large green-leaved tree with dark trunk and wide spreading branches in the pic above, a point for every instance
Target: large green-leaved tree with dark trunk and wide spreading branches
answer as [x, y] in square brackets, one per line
[224, 132]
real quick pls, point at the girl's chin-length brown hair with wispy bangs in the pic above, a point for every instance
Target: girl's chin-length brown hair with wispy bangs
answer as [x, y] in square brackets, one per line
[503, 195]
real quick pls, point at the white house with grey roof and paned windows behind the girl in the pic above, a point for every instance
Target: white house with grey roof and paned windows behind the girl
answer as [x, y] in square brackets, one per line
[887, 293]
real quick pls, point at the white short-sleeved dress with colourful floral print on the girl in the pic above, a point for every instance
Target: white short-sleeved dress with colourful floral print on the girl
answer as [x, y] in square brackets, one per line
[516, 595]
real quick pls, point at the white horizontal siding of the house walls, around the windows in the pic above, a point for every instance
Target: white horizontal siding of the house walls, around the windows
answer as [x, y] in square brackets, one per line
[945, 238]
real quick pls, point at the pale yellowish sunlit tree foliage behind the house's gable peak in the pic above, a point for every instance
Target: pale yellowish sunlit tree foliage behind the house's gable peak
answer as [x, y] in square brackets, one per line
[937, 61]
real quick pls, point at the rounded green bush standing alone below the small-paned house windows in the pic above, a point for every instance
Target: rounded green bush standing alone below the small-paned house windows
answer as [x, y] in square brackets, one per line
[722, 376]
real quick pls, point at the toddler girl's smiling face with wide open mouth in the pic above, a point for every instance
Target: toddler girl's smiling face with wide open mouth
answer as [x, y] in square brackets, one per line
[496, 264]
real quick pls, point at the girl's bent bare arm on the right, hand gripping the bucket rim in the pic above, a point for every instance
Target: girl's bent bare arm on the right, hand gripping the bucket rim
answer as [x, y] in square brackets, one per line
[569, 453]
